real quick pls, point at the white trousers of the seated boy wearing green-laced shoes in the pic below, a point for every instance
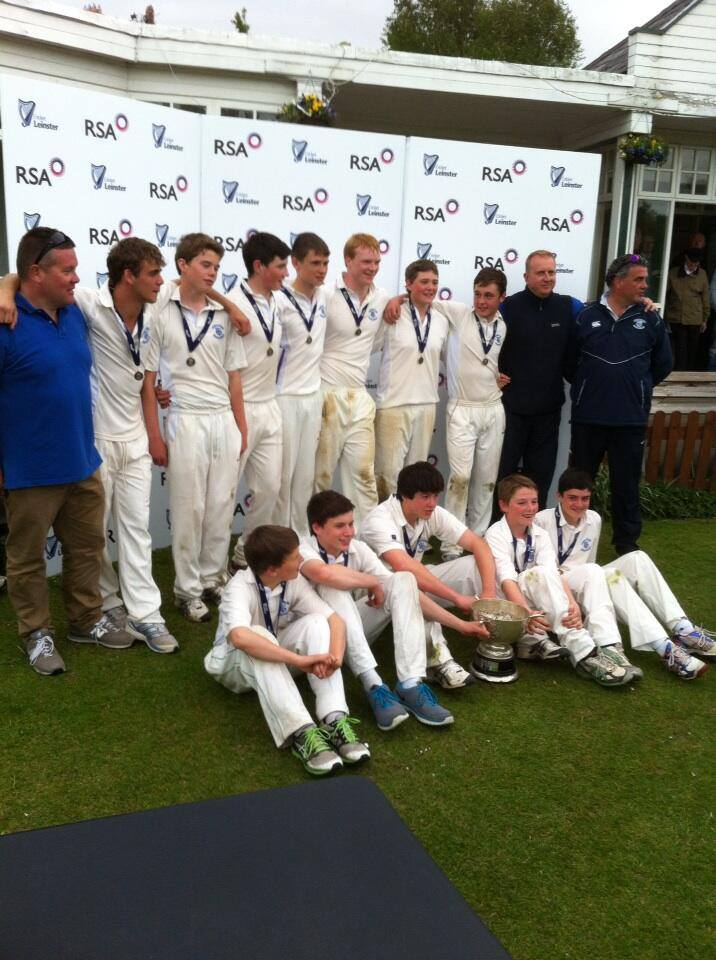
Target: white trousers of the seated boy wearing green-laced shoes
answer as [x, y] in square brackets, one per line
[280, 700]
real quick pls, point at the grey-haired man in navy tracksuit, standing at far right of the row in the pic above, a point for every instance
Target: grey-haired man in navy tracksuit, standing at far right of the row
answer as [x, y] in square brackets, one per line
[622, 353]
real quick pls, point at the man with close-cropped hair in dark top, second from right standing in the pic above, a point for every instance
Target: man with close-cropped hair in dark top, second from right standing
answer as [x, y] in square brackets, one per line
[538, 354]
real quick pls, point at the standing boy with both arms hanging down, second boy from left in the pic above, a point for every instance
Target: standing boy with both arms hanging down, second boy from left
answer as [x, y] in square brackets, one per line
[200, 357]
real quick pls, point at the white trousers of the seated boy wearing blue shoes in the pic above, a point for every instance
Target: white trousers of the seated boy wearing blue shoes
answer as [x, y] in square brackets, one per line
[412, 636]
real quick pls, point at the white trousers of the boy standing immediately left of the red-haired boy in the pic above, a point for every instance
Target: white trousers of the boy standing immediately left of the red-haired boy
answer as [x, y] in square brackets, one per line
[301, 416]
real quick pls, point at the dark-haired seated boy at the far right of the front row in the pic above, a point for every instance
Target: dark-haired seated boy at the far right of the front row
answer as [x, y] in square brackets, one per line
[642, 598]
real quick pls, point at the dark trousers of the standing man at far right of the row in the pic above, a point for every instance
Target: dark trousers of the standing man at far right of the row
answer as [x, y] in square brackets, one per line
[624, 446]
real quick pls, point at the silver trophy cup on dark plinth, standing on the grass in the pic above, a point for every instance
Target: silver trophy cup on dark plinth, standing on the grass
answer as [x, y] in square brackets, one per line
[506, 622]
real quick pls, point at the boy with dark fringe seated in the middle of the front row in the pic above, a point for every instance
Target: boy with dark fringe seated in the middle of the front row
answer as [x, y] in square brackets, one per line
[399, 531]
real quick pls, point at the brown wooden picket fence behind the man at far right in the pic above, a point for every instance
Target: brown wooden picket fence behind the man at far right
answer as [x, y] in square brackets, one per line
[681, 448]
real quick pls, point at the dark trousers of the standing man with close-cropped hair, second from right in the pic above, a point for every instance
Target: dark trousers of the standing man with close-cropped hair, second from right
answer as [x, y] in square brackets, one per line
[530, 447]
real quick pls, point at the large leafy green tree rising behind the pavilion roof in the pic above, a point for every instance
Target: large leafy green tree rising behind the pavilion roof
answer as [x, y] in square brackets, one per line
[541, 32]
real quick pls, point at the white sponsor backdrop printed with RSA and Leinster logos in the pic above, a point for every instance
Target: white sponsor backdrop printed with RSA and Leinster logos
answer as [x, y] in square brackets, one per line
[102, 168]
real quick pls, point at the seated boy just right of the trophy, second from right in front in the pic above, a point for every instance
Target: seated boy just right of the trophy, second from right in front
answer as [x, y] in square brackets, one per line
[528, 575]
